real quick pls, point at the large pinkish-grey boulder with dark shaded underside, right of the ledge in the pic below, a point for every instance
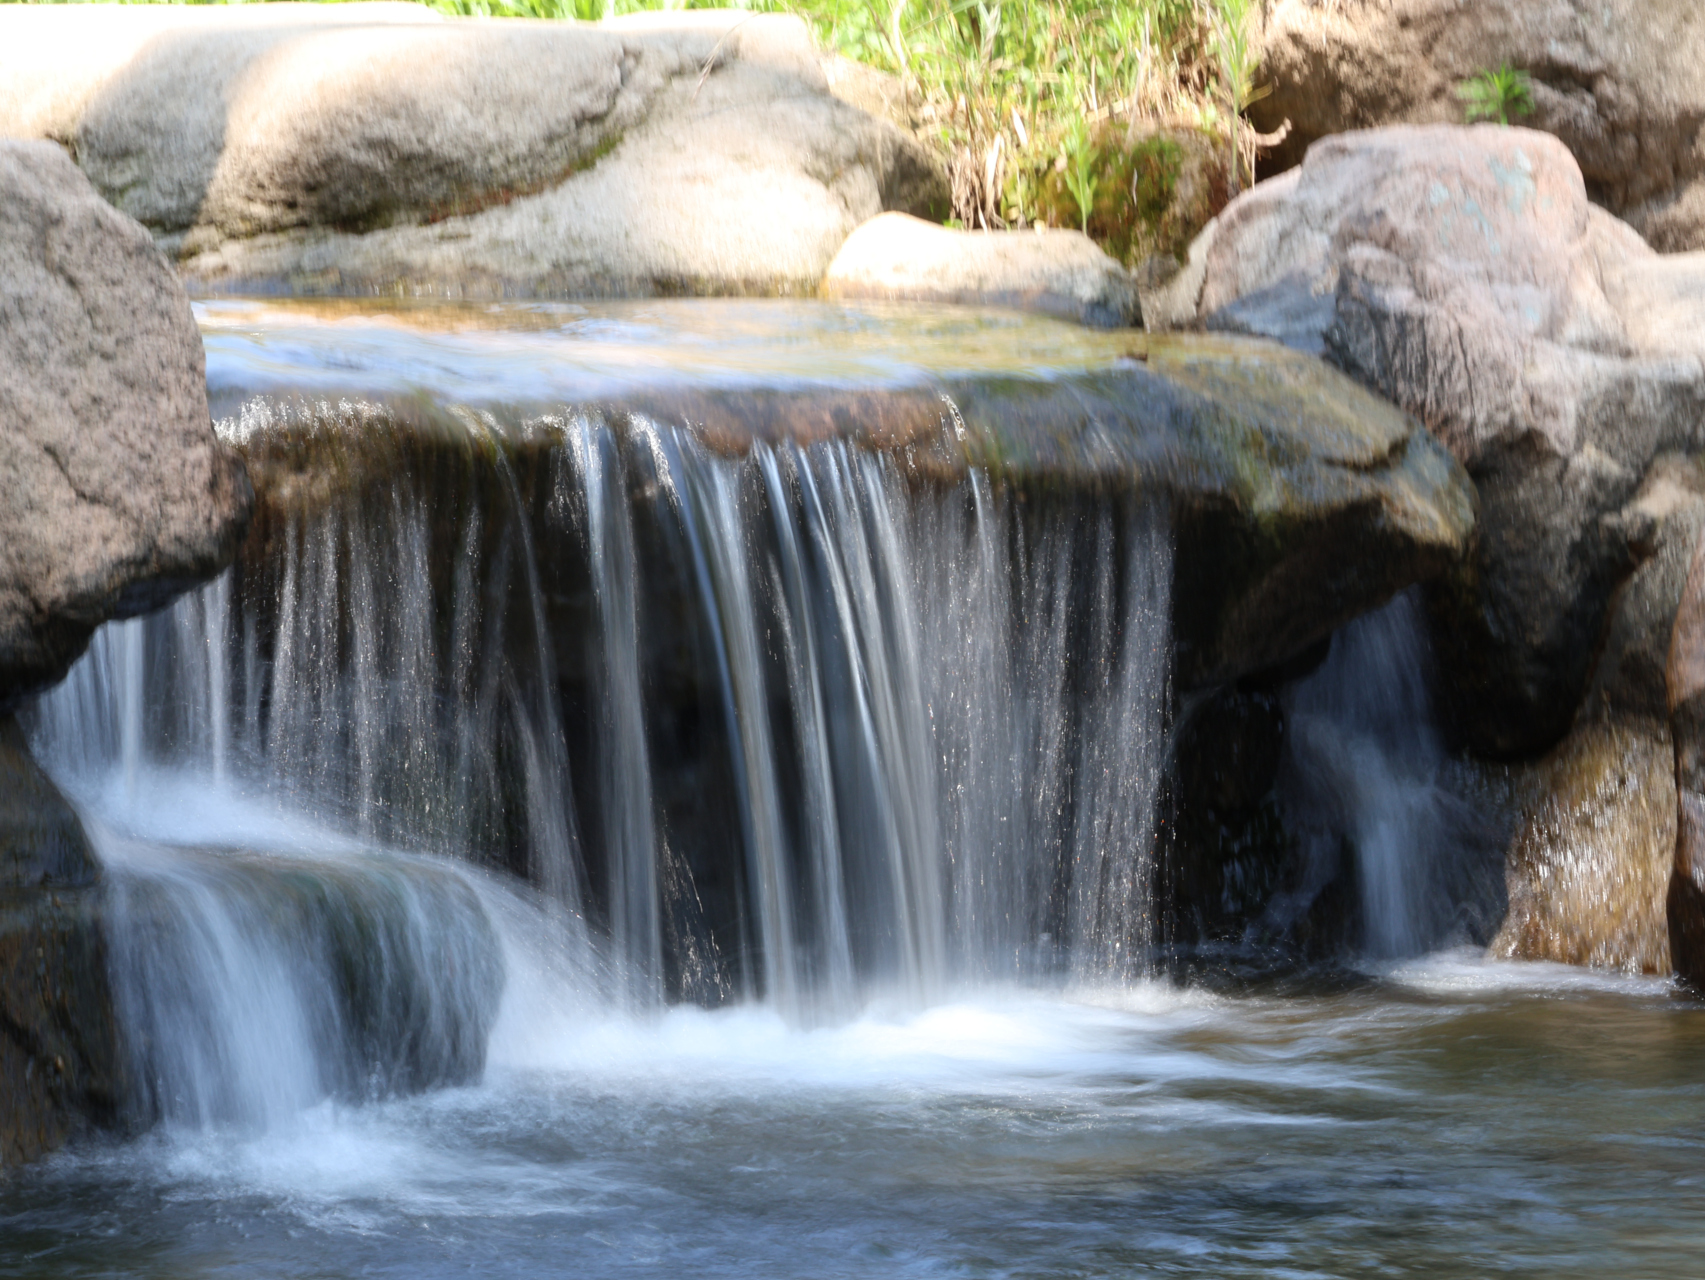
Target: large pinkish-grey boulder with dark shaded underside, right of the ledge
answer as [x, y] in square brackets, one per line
[1464, 274]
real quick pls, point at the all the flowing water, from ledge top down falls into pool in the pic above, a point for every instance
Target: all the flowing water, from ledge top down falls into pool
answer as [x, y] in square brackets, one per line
[928, 1042]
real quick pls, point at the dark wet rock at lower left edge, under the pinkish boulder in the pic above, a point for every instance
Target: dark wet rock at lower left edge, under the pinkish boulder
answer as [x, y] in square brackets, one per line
[59, 1049]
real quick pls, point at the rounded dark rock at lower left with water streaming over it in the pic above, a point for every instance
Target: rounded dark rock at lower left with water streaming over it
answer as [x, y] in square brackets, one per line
[386, 969]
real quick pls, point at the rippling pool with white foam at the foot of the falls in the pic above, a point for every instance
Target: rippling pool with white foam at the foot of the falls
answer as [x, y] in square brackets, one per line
[1448, 1117]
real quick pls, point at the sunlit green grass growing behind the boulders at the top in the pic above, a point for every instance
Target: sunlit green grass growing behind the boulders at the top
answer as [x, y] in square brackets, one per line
[1024, 98]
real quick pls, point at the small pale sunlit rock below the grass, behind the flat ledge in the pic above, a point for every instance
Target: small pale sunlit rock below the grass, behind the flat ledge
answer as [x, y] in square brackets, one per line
[898, 258]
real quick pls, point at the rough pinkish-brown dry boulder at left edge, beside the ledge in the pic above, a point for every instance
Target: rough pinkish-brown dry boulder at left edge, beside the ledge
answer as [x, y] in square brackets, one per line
[118, 493]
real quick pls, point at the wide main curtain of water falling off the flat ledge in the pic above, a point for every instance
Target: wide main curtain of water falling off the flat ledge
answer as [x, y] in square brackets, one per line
[787, 725]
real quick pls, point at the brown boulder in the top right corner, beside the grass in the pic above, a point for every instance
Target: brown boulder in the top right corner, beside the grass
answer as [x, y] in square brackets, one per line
[1621, 83]
